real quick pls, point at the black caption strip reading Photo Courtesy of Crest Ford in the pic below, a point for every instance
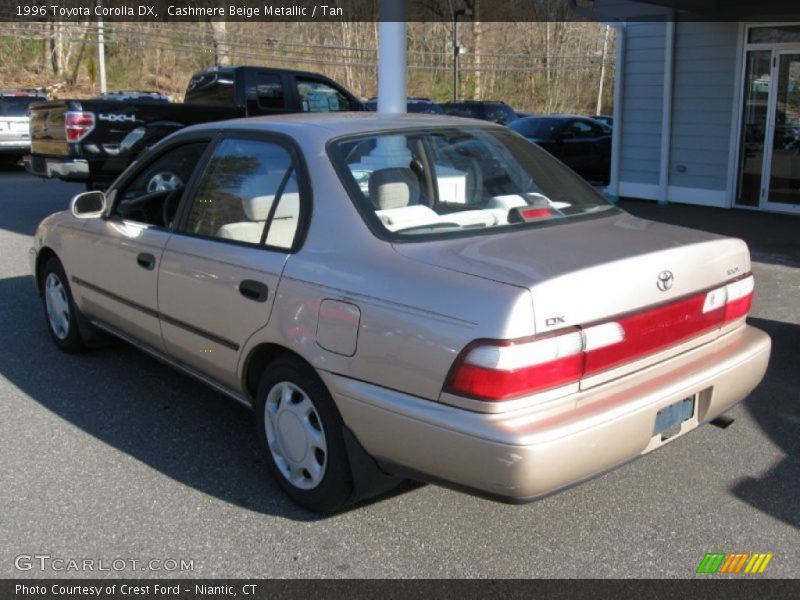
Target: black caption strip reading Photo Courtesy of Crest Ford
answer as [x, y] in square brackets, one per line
[741, 588]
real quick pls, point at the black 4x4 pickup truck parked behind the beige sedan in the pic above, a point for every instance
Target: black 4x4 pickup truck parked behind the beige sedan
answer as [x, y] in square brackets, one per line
[94, 140]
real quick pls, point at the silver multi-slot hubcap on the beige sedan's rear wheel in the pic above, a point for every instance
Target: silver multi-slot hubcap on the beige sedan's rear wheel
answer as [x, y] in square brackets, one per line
[295, 435]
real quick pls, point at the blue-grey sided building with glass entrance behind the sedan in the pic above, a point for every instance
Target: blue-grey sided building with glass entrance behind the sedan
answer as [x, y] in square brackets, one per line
[707, 102]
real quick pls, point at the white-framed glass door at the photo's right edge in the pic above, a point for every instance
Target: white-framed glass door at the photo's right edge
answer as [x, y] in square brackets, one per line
[782, 189]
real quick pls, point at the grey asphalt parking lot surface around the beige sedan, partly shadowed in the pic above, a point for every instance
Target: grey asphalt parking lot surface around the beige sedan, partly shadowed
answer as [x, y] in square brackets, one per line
[115, 458]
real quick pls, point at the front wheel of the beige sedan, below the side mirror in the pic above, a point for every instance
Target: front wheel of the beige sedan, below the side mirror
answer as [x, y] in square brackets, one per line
[59, 307]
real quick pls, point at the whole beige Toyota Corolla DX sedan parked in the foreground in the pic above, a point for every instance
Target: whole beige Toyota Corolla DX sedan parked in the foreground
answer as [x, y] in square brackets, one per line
[407, 296]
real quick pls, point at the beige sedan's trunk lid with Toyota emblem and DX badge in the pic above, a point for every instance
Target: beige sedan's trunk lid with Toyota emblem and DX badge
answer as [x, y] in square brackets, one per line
[645, 275]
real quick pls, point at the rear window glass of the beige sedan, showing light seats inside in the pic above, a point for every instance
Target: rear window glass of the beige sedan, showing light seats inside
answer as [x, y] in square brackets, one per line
[414, 184]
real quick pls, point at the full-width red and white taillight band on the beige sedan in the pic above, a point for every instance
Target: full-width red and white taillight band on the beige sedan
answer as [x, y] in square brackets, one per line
[494, 370]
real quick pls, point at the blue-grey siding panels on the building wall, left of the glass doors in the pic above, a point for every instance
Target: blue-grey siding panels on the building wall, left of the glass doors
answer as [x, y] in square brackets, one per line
[704, 89]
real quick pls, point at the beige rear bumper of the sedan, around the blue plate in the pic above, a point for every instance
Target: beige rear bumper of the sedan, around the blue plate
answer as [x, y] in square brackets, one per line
[525, 454]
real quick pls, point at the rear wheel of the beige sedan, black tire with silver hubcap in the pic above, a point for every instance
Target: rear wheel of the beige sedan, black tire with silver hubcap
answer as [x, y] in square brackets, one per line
[300, 430]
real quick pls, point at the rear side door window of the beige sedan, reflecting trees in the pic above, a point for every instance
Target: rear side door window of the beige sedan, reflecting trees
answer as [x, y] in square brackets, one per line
[248, 194]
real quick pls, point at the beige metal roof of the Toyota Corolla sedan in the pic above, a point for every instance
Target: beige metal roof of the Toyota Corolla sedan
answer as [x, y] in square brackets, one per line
[331, 125]
